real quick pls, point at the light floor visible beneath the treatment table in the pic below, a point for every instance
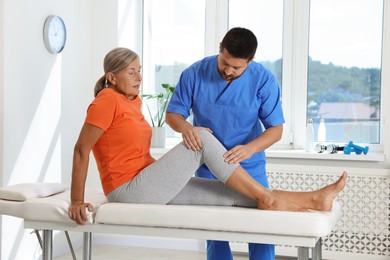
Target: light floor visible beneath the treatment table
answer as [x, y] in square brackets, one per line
[102, 252]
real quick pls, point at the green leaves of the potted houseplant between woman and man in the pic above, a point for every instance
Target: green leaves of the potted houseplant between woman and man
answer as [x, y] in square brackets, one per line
[162, 100]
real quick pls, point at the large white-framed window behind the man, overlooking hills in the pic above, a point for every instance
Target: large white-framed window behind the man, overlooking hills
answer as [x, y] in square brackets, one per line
[329, 52]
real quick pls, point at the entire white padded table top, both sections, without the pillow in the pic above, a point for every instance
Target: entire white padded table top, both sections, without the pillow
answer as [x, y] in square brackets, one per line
[218, 218]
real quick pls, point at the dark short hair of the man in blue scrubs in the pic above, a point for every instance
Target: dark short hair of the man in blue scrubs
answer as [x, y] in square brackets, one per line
[240, 43]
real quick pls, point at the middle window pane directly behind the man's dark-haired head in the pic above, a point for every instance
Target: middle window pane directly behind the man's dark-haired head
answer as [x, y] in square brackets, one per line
[265, 19]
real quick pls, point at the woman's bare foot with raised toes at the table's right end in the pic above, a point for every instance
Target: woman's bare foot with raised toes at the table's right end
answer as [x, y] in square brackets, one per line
[323, 199]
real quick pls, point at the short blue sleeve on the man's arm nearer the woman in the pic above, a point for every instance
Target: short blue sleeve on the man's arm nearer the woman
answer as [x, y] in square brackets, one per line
[182, 97]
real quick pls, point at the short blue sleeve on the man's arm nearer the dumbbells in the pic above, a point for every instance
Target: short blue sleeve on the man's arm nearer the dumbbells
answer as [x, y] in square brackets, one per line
[270, 112]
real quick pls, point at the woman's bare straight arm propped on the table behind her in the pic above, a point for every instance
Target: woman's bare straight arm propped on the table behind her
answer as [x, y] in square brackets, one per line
[89, 135]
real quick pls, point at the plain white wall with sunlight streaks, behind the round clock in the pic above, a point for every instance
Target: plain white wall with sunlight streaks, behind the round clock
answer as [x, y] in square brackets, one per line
[44, 97]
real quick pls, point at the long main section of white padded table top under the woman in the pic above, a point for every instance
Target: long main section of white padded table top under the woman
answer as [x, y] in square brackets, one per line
[220, 218]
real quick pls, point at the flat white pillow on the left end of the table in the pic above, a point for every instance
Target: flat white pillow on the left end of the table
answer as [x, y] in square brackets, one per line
[24, 191]
